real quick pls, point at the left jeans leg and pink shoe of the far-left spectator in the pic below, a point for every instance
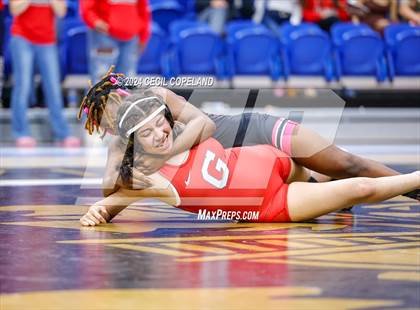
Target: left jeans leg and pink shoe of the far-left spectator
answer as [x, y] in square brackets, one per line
[23, 54]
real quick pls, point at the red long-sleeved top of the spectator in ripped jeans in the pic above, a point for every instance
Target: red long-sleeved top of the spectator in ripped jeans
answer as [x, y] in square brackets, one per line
[125, 18]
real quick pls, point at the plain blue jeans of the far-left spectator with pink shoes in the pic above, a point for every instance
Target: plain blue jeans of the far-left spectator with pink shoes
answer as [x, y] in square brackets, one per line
[24, 56]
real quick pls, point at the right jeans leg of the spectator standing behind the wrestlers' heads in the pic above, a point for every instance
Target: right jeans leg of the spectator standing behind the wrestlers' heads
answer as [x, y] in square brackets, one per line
[128, 57]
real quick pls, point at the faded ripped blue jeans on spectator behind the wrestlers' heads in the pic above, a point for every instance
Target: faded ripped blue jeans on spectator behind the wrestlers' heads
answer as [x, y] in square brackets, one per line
[105, 51]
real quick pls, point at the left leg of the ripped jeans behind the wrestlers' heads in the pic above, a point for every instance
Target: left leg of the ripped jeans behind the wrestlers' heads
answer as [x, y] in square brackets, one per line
[103, 53]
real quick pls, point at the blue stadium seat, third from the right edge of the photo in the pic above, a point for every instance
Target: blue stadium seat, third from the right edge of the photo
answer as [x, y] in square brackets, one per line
[306, 50]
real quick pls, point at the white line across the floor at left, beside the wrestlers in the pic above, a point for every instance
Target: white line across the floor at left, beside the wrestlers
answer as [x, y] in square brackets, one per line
[49, 182]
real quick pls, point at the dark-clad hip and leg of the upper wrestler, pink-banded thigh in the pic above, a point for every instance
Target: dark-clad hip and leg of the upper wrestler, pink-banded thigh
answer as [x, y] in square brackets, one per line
[305, 146]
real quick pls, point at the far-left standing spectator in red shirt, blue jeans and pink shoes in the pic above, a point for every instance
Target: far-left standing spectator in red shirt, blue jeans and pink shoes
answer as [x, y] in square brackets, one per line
[33, 41]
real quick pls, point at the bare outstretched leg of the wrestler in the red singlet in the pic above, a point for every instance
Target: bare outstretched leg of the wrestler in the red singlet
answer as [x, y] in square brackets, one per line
[307, 200]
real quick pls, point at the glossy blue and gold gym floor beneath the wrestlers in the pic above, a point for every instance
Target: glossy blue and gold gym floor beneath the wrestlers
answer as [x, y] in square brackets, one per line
[154, 256]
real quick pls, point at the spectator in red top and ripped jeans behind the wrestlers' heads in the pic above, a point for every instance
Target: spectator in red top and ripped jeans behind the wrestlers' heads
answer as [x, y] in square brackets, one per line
[118, 32]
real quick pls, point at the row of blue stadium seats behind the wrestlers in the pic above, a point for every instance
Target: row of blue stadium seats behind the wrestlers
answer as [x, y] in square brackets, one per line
[188, 47]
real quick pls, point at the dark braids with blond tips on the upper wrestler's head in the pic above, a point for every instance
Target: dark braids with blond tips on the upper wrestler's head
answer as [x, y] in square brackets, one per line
[93, 104]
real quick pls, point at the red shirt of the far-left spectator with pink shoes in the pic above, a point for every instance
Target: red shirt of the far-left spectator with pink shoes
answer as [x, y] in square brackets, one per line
[36, 23]
